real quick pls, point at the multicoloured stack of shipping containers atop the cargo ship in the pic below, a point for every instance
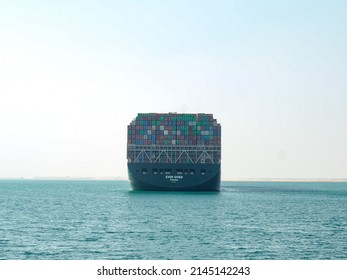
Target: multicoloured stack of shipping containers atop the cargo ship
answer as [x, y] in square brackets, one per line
[174, 129]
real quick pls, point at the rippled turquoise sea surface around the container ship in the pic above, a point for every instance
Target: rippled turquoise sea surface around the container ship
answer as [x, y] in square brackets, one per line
[106, 220]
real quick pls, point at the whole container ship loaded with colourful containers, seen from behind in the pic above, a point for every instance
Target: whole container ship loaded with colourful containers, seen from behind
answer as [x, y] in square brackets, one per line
[174, 152]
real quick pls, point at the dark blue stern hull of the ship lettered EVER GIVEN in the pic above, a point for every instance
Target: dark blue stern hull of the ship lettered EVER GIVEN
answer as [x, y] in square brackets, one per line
[174, 177]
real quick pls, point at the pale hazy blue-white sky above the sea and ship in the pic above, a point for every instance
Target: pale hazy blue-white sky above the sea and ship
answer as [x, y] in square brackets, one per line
[73, 74]
